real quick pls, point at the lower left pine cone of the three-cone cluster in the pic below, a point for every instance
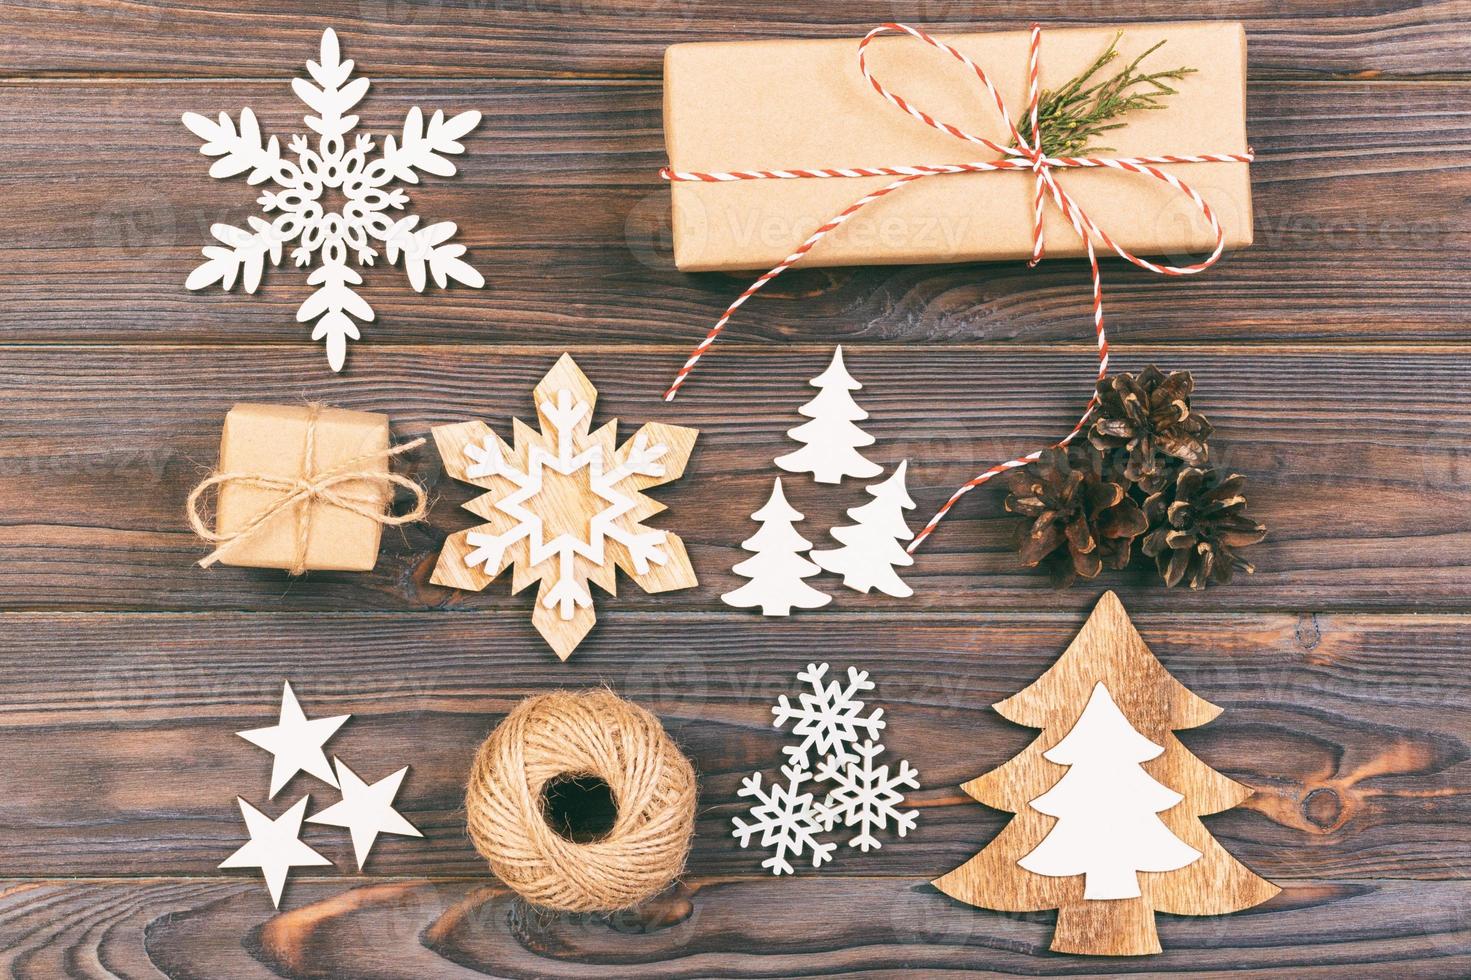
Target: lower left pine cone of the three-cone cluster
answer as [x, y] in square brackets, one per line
[1079, 514]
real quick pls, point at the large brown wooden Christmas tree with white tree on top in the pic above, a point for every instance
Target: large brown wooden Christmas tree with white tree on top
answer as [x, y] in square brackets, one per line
[1108, 803]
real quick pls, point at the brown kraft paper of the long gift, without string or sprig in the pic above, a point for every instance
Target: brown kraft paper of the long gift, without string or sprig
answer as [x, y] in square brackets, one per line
[783, 105]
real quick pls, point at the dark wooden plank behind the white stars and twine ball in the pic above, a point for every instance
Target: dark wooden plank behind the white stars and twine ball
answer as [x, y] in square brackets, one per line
[1354, 731]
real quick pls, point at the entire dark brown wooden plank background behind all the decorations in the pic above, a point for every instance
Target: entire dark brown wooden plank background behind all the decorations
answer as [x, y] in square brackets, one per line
[1333, 358]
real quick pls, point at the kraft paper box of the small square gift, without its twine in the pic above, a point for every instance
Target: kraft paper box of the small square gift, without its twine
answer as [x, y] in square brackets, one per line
[271, 441]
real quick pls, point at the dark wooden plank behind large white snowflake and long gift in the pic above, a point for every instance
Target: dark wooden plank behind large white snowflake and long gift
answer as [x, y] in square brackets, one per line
[1360, 232]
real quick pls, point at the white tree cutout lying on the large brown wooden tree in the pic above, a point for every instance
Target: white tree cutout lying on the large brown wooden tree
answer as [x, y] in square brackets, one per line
[1107, 807]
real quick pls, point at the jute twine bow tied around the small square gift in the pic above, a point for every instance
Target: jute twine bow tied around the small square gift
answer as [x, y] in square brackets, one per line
[308, 492]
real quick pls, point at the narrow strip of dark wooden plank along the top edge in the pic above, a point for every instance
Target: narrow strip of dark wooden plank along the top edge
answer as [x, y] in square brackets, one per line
[627, 38]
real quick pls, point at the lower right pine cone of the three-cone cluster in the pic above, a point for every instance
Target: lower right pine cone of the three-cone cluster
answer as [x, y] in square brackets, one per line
[1195, 526]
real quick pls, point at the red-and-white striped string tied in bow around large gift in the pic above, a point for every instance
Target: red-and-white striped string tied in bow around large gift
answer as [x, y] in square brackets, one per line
[1022, 155]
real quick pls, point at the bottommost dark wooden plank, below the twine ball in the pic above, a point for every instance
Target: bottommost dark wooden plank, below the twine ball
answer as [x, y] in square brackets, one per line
[710, 928]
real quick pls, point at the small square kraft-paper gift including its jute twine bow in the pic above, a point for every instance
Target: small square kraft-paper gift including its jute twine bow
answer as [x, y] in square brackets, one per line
[302, 488]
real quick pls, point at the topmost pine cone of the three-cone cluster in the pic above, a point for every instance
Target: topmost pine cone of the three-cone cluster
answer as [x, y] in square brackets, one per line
[1148, 419]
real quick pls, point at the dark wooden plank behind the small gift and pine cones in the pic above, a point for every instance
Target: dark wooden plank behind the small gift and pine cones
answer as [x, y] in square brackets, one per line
[1357, 463]
